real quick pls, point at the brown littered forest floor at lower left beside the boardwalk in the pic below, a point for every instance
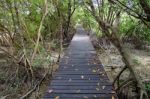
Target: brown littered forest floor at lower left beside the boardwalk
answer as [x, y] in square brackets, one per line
[12, 87]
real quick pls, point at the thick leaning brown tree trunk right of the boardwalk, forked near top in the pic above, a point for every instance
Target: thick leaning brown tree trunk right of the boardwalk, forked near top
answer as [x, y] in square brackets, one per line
[111, 32]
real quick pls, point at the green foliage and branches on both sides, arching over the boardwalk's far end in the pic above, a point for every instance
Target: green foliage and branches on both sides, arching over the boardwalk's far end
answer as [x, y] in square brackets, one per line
[31, 29]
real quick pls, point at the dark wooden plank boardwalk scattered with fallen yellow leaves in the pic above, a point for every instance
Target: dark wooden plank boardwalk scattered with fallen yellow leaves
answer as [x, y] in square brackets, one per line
[80, 75]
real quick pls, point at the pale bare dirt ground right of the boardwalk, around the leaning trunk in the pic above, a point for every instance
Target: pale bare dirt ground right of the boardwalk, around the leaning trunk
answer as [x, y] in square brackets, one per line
[112, 62]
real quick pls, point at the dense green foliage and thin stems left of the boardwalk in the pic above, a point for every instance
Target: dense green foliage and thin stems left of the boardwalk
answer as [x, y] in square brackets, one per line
[30, 30]
